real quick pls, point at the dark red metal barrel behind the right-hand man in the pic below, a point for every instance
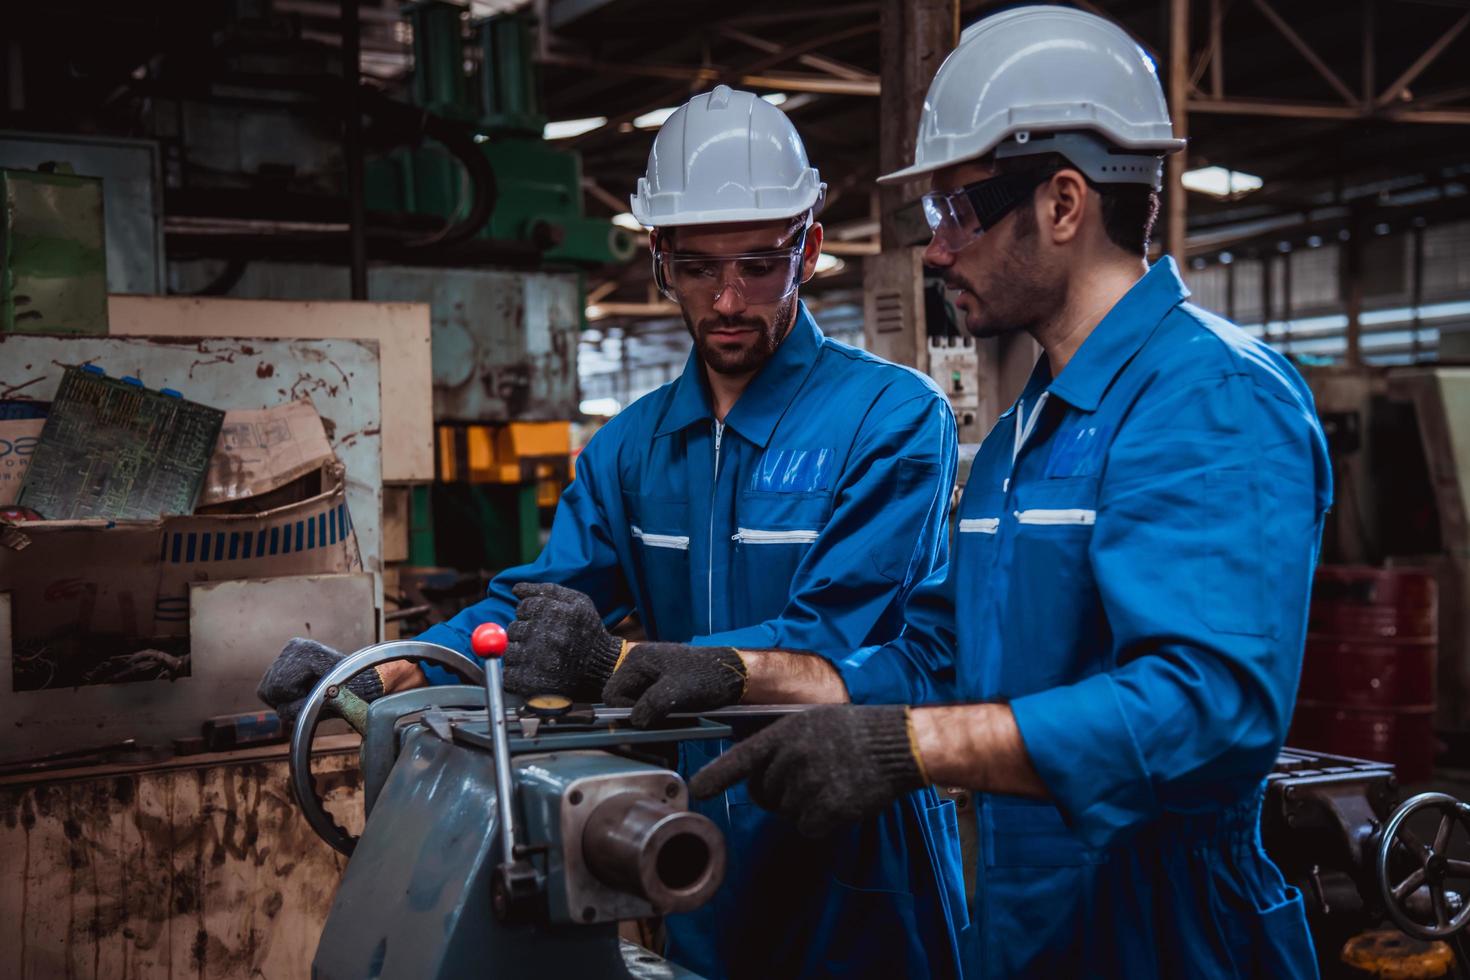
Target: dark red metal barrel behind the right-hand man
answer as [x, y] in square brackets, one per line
[1368, 678]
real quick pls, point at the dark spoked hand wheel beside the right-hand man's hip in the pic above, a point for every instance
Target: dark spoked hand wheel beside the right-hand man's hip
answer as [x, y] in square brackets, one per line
[1433, 868]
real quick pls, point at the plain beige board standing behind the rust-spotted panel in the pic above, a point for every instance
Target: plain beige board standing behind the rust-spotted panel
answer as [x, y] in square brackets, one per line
[402, 331]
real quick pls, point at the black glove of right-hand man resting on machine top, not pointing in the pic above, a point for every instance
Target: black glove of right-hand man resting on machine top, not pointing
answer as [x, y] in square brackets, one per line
[662, 678]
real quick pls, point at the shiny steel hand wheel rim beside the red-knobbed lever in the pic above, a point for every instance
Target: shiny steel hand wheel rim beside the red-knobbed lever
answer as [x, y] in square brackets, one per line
[333, 691]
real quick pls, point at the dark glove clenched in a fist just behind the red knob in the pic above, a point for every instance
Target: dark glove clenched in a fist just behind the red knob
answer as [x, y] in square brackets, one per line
[558, 644]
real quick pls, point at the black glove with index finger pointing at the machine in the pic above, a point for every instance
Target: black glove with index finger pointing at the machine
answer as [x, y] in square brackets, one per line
[824, 768]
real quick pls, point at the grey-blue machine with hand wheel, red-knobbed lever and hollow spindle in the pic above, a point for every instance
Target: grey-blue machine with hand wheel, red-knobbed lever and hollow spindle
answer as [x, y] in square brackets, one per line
[509, 849]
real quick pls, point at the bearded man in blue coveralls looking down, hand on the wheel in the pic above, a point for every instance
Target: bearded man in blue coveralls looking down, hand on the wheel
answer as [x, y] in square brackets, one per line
[784, 491]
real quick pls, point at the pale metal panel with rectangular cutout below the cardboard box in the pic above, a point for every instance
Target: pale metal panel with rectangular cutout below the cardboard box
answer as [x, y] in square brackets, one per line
[236, 631]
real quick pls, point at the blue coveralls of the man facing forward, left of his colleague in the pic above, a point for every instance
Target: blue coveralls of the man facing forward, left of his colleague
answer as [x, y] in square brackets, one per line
[802, 522]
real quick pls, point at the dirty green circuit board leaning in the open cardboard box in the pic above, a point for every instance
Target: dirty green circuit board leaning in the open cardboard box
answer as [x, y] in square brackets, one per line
[115, 450]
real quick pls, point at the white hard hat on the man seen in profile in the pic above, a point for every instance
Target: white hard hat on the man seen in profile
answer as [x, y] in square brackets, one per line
[1025, 74]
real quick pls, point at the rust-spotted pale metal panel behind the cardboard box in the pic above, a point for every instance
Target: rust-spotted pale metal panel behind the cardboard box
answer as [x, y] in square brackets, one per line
[339, 375]
